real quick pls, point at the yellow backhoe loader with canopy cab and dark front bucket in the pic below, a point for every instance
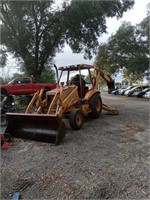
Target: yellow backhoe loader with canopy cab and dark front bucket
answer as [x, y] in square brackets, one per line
[73, 99]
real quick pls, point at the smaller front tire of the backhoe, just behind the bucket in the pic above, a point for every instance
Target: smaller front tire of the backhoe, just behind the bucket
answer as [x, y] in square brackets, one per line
[76, 119]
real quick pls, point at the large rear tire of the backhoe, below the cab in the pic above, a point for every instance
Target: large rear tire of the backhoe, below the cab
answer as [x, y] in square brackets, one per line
[95, 104]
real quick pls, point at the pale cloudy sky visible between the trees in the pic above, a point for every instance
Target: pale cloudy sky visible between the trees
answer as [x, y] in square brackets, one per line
[66, 57]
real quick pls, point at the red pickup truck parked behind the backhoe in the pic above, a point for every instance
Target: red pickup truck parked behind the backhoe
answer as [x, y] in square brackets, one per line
[24, 85]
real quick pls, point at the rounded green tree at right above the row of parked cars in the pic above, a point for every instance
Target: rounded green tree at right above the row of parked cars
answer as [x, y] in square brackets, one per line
[126, 49]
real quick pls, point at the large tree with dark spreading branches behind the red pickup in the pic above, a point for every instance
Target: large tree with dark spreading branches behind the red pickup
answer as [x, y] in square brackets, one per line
[35, 31]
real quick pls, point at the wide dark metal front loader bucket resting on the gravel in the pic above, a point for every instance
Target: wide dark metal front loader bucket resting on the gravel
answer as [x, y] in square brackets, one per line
[39, 127]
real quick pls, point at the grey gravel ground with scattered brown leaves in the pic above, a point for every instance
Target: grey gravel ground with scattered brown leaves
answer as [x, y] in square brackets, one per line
[107, 159]
